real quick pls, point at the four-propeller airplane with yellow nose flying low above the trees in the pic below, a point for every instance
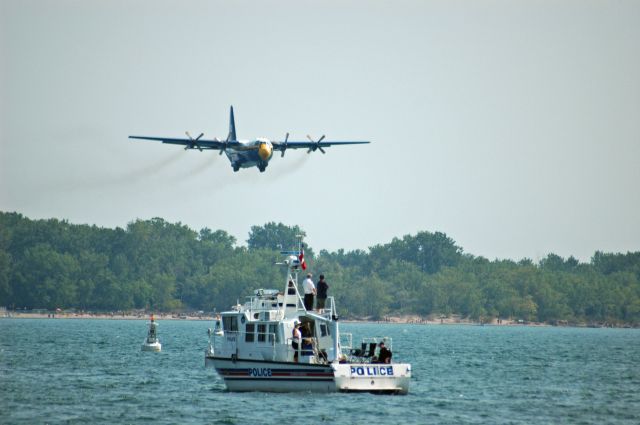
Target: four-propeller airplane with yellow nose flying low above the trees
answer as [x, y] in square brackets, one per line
[252, 153]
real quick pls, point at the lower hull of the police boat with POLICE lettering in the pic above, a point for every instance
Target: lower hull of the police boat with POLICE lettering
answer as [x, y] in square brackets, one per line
[256, 375]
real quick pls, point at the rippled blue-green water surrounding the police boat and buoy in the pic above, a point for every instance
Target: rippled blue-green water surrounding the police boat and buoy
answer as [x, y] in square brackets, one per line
[93, 371]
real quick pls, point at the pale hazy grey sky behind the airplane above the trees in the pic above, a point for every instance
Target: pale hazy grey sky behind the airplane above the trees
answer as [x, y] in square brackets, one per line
[511, 126]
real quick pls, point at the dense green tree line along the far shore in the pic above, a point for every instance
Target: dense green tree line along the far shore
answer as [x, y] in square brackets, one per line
[157, 265]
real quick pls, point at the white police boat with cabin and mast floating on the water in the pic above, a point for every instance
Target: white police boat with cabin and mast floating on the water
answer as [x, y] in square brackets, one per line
[272, 343]
